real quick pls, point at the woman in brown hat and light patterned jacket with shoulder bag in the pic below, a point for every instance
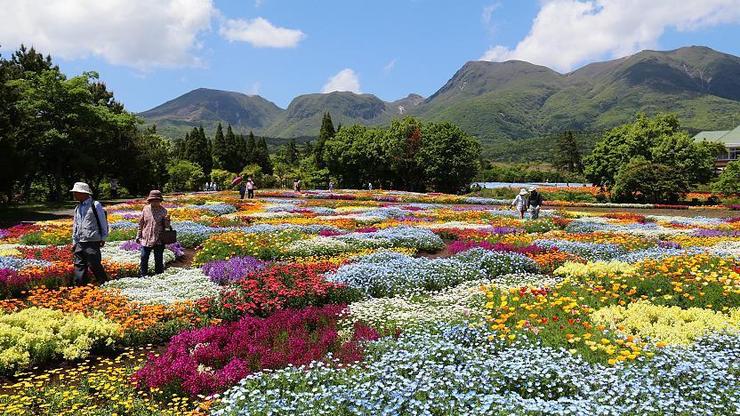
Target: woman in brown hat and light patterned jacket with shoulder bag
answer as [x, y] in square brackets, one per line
[153, 221]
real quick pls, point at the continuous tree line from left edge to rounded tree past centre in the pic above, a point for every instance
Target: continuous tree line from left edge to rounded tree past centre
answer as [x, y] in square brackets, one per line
[56, 130]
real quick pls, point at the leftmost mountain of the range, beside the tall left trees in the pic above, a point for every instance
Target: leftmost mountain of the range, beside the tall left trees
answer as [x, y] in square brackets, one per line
[209, 107]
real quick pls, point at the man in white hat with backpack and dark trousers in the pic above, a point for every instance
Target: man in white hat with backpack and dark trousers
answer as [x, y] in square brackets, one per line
[89, 231]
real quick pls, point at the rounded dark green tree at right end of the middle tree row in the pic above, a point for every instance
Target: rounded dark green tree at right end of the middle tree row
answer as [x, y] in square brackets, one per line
[449, 157]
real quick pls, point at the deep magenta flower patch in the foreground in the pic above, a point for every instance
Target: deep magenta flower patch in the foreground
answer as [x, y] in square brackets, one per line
[211, 359]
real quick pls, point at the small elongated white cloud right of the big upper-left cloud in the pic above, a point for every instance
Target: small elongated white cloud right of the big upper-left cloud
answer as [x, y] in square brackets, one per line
[260, 33]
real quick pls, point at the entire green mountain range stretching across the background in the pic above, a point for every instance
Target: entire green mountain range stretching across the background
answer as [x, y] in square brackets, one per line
[497, 101]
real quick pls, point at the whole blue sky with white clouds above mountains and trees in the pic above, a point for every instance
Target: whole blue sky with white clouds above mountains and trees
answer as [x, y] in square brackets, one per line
[283, 48]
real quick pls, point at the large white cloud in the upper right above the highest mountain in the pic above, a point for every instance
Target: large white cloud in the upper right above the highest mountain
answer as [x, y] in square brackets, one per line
[566, 33]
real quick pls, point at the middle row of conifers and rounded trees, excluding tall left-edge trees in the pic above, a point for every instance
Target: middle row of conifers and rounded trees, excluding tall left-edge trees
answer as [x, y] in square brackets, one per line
[407, 155]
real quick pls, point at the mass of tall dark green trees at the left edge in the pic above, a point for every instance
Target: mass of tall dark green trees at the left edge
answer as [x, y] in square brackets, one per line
[56, 130]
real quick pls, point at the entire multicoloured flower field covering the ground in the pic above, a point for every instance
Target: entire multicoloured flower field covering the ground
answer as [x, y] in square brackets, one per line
[376, 303]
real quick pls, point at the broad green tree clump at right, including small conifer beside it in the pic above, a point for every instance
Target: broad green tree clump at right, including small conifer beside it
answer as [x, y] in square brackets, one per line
[651, 159]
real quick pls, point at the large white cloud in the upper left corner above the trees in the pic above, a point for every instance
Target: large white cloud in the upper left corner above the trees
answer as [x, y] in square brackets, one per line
[142, 34]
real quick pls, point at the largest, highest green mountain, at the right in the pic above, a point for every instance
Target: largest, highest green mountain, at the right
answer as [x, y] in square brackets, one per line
[513, 100]
